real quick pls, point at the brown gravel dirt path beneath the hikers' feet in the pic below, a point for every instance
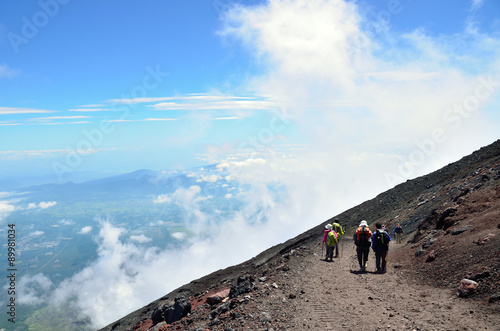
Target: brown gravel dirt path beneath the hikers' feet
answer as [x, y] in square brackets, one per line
[335, 296]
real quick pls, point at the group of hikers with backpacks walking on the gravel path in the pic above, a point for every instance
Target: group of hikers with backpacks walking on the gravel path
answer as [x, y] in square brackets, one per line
[364, 239]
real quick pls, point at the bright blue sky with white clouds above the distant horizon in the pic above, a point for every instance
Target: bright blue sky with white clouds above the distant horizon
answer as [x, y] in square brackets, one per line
[115, 86]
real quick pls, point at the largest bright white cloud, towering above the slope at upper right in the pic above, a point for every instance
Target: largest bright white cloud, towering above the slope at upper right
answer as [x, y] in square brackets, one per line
[368, 105]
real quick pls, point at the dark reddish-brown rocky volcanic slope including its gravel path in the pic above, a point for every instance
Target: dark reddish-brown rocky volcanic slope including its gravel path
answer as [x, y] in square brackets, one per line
[451, 219]
